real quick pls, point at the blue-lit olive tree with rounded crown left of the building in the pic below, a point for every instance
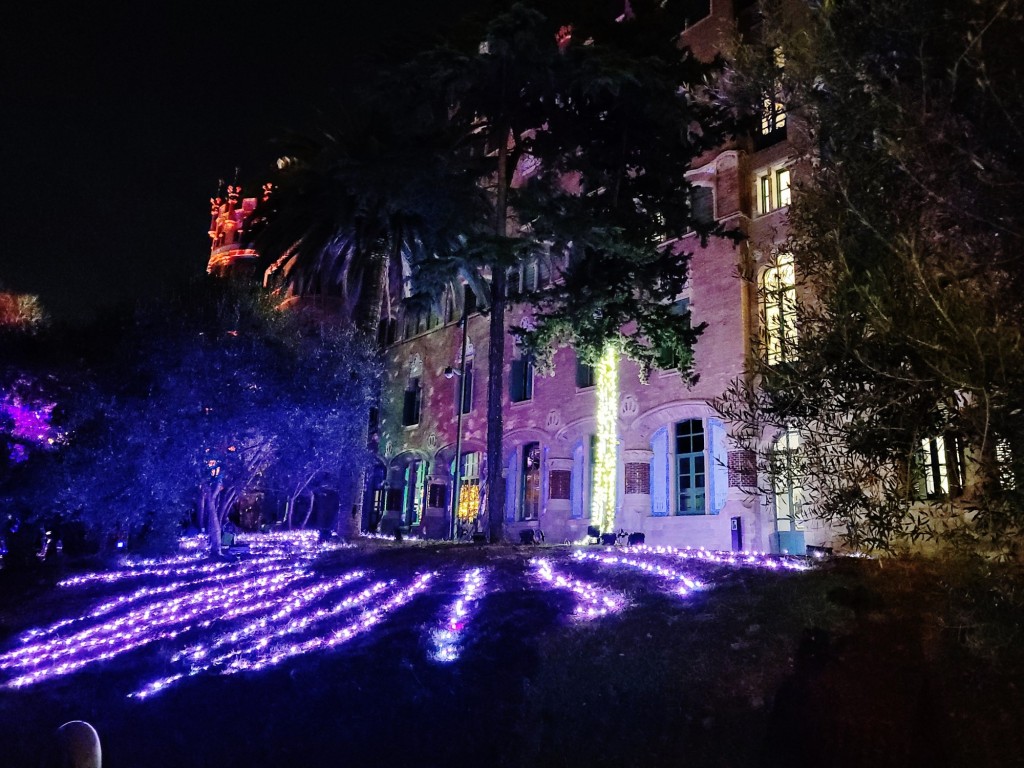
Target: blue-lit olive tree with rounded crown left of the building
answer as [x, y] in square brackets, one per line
[205, 397]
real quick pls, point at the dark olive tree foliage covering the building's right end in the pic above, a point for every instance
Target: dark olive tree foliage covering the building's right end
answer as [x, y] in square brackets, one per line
[907, 232]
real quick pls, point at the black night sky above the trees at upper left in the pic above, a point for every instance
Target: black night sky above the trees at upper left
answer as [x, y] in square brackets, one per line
[117, 124]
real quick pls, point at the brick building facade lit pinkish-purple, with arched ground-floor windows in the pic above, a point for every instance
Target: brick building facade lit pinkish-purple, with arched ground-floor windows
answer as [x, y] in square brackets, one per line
[681, 481]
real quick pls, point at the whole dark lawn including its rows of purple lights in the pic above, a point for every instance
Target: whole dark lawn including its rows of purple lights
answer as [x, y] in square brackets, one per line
[433, 655]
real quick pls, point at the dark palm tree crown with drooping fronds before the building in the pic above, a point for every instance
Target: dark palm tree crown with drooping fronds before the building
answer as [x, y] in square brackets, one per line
[369, 214]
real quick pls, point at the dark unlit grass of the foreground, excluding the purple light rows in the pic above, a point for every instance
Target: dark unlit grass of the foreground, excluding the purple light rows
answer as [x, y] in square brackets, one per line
[850, 664]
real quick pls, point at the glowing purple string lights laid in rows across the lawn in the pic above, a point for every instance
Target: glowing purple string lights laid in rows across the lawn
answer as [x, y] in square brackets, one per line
[282, 601]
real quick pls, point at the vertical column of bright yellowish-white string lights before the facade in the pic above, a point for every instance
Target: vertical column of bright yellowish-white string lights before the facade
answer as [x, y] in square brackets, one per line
[603, 504]
